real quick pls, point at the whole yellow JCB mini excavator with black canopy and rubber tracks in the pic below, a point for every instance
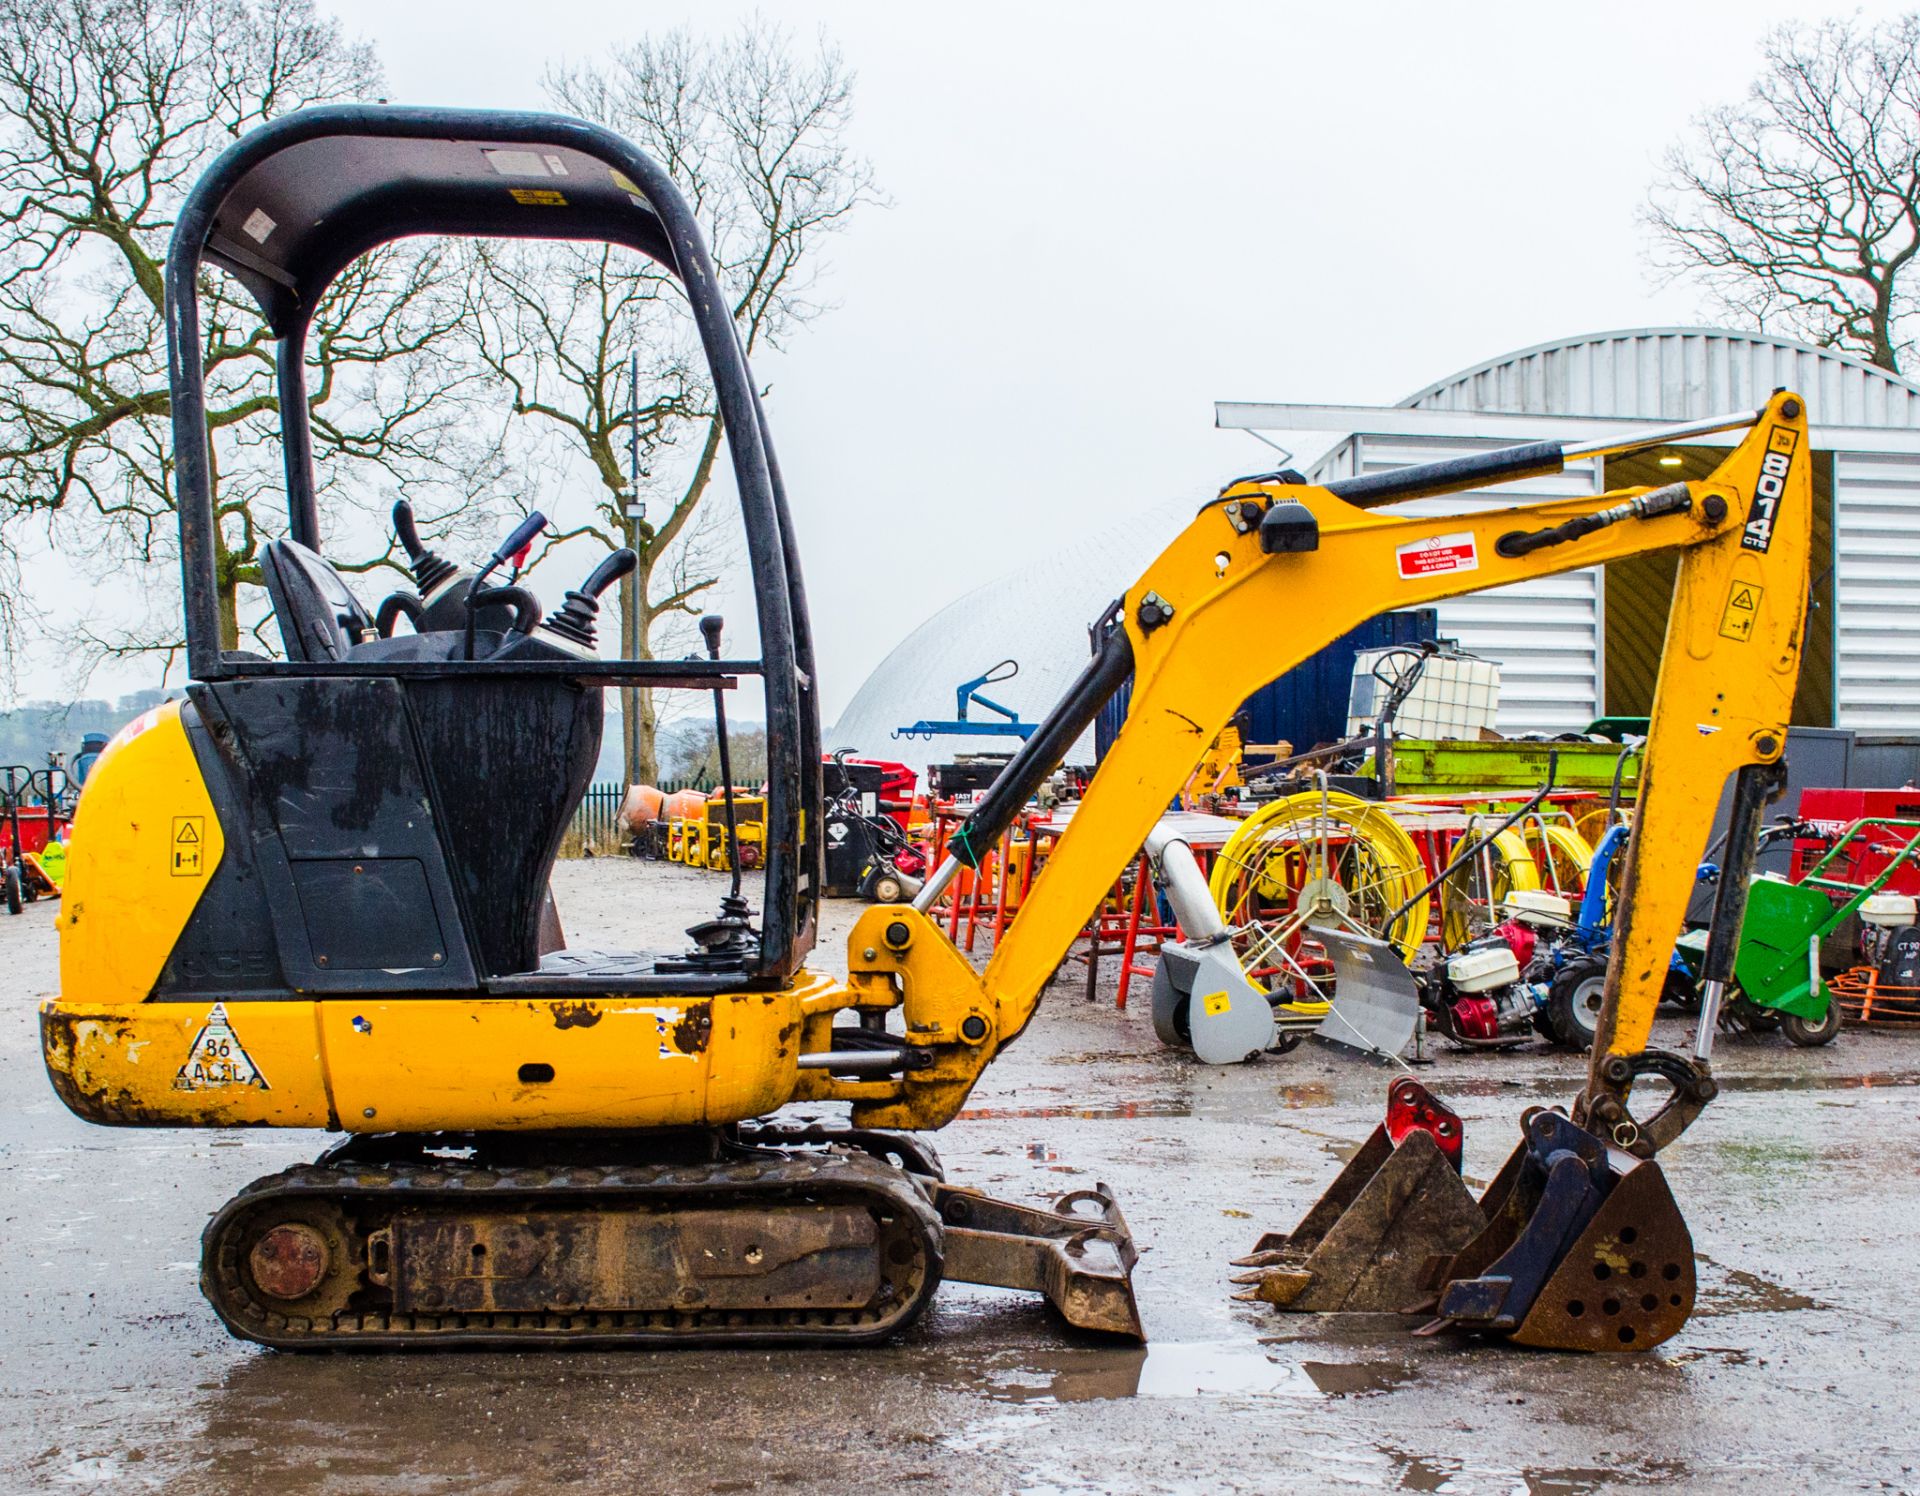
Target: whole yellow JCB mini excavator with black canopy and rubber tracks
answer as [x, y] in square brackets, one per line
[316, 894]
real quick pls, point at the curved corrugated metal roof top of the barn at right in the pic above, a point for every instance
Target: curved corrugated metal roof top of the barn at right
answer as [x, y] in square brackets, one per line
[1675, 374]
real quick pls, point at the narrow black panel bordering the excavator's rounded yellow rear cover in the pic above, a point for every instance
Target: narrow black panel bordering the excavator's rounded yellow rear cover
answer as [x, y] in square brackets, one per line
[228, 948]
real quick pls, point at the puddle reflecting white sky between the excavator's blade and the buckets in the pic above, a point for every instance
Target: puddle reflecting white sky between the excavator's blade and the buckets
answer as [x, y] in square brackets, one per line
[1184, 1370]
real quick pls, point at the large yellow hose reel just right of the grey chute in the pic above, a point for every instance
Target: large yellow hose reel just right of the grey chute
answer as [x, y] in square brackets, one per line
[1318, 857]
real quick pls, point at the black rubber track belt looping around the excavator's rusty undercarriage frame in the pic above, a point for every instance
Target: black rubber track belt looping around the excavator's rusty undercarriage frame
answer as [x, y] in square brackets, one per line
[373, 1195]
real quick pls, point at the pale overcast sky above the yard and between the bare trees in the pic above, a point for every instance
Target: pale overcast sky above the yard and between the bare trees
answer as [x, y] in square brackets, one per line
[1109, 216]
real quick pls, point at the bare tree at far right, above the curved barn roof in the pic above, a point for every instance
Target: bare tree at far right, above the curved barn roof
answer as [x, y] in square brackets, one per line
[1800, 206]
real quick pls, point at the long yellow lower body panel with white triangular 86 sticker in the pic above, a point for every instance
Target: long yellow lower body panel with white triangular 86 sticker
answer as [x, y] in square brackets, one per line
[431, 1065]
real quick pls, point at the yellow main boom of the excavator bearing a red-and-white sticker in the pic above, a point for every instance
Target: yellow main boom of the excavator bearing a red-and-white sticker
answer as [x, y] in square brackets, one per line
[1262, 579]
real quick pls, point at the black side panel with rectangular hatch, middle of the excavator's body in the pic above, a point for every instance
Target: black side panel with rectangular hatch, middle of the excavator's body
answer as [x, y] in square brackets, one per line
[333, 783]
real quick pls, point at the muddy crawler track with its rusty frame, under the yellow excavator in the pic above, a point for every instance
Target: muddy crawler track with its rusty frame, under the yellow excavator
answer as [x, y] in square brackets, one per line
[759, 1249]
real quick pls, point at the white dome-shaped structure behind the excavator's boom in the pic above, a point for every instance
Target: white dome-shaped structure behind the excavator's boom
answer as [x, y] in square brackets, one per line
[1036, 615]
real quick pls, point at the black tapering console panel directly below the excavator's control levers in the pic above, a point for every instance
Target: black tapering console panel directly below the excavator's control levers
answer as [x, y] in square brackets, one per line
[510, 761]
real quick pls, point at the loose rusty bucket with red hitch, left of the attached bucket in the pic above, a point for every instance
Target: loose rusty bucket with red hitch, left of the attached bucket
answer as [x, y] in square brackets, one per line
[1374, 1240]
